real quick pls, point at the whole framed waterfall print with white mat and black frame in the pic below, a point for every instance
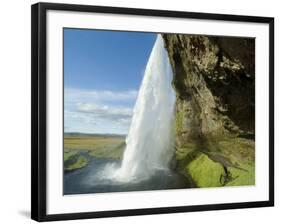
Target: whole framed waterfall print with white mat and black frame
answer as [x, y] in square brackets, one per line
[138, 111]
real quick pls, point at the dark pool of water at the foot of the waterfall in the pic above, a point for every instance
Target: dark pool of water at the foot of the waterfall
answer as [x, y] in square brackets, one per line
[92, 179]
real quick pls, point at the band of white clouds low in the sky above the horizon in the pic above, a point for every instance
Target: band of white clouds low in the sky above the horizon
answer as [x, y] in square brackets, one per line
[98, 111]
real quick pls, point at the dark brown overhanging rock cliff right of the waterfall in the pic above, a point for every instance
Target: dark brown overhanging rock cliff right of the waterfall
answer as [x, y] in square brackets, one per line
[214, 81]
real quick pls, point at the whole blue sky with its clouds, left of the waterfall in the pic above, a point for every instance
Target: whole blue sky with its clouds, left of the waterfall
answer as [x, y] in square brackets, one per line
[102, 74]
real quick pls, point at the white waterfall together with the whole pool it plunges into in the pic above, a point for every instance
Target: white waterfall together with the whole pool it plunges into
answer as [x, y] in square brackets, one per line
[149, 144]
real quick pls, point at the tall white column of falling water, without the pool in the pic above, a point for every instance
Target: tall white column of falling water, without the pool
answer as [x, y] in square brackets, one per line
[149, 144]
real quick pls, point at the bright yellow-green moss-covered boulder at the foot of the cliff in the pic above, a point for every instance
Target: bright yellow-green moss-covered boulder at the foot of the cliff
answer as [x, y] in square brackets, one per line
[205, 172]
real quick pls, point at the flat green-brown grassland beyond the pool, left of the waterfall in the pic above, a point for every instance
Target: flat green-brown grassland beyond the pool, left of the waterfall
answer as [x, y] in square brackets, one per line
[106, 146]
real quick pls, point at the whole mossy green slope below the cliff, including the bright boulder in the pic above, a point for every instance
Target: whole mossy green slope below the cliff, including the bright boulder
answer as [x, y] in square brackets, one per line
[218, 161]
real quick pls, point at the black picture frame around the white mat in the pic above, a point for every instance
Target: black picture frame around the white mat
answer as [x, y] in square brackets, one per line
[39, 122]
